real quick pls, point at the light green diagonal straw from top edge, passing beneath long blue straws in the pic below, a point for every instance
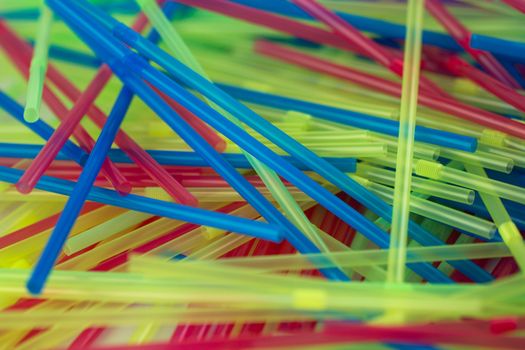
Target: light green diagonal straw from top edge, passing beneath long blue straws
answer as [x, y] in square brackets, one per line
[269, 177]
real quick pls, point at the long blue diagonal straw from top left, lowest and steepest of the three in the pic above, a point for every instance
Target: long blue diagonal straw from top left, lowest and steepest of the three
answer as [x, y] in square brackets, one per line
[121, 61]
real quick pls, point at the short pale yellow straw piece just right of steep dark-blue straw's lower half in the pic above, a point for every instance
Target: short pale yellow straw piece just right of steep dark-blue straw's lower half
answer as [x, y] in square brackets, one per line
[103, 231]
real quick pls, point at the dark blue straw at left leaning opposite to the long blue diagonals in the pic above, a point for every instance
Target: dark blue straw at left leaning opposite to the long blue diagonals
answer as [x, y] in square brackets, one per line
[79, 195]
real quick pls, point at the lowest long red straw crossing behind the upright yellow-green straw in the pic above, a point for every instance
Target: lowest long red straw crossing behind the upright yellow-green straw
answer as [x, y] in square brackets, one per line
[457, 109]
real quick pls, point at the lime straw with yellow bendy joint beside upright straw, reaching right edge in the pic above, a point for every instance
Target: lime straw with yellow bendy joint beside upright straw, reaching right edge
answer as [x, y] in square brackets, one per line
[437, 171]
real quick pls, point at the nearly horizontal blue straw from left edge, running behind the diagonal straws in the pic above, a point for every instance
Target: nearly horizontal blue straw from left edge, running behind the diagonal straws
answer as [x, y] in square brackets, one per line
[180, 158]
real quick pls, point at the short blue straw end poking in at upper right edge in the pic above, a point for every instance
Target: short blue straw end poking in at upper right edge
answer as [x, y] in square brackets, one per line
[509, 49]
